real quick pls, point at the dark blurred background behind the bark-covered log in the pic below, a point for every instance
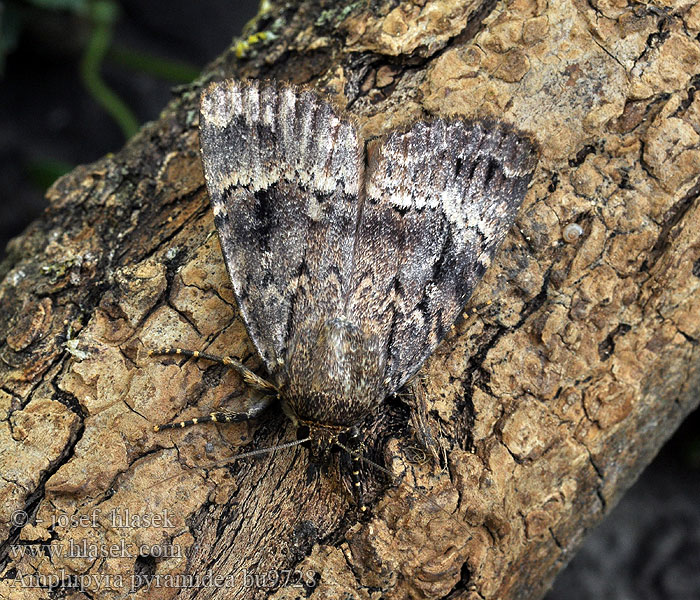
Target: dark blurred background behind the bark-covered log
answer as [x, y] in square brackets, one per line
[649, 546]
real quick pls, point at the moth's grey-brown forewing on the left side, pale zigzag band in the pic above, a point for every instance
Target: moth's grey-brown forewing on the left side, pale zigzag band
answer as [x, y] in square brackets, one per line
[284, 172]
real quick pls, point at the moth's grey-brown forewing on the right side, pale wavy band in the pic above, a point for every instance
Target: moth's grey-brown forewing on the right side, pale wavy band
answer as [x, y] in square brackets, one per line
[440, 198]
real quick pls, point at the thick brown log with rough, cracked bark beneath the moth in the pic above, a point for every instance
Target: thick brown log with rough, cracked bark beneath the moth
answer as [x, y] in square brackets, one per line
[549, 401]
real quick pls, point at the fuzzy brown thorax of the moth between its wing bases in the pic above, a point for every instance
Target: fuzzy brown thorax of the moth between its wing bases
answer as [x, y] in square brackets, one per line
[334, 375]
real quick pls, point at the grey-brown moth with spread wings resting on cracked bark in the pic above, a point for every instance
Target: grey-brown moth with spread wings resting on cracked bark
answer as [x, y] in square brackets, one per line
[350, 260]
